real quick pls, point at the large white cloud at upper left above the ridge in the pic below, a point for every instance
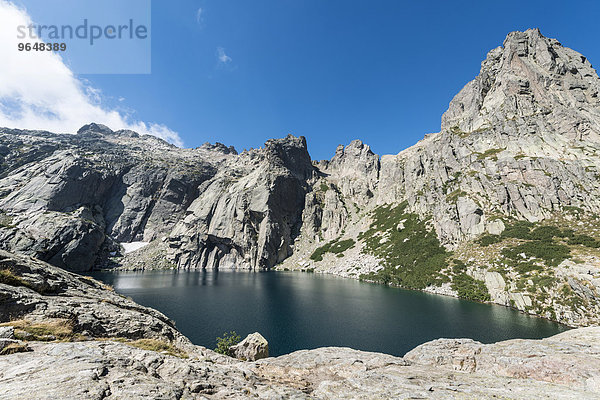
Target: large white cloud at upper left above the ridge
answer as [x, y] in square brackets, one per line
[38, 91]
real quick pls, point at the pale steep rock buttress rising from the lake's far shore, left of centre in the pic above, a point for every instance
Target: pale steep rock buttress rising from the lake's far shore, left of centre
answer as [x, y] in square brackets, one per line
[249, 213]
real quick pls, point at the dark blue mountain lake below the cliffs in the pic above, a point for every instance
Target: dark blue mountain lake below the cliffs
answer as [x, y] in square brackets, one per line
[301, 310]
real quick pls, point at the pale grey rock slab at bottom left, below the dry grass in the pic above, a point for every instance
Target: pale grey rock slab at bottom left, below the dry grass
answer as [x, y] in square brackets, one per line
[97, 370]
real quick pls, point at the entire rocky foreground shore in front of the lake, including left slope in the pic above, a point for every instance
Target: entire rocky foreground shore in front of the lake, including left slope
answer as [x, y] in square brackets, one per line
[68, 337]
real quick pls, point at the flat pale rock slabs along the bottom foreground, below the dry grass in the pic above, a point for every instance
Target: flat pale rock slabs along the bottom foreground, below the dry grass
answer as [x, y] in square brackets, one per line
[98, 370]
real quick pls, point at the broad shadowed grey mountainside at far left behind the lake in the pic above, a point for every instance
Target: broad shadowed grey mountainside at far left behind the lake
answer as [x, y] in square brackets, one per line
[68, 199]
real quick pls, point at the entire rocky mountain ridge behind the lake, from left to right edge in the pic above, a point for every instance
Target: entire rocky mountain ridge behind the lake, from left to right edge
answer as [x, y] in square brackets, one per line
[458, 213]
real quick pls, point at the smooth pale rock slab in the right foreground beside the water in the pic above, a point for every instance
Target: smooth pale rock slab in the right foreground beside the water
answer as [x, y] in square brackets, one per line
[557, 359]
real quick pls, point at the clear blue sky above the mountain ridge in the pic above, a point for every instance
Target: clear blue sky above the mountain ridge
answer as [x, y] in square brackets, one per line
[331, 70]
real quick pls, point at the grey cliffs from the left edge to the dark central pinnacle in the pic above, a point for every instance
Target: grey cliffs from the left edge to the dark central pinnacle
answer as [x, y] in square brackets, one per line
[70, 198]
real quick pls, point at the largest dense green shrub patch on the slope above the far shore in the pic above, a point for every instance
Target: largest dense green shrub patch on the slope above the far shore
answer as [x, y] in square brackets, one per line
[411, 252]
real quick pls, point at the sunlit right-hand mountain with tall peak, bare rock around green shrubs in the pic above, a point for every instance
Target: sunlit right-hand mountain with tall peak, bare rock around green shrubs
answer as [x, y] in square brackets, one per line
[521, 142]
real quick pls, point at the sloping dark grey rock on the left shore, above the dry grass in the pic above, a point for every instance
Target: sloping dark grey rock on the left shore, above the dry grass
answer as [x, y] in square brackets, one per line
[95, 310]
